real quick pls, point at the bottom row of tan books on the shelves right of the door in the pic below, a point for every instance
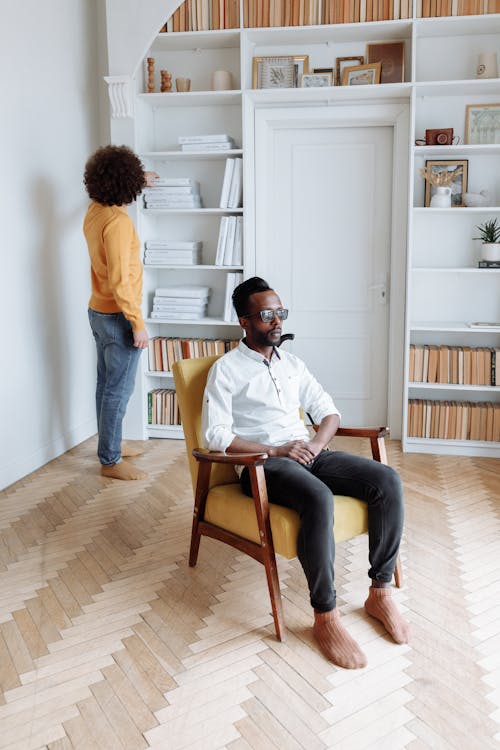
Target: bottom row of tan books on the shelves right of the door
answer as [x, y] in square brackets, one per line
[454, 420]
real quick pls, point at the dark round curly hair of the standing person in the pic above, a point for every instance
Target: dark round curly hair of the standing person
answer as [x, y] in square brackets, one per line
[114, 176]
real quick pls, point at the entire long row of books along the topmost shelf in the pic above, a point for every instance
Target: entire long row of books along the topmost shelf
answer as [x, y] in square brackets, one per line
[203, 15]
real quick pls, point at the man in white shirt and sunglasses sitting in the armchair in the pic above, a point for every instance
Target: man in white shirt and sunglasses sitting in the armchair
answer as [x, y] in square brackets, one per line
[251, 404]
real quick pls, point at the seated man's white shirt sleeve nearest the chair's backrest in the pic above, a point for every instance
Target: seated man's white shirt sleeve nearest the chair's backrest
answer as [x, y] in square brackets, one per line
[217, 420]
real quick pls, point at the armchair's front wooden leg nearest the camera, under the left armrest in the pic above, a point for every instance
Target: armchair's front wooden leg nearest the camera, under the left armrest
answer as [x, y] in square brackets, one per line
[259, 492]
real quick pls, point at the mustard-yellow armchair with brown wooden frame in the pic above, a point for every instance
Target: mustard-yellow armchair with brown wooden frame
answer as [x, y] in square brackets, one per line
[252, 525]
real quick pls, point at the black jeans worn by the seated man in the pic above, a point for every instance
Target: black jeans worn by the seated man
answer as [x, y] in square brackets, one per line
[310, 491]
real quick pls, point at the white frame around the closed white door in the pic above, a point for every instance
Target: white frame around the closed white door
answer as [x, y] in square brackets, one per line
[262, 121]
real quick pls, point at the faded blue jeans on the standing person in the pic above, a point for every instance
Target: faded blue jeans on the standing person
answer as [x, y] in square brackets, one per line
[117, 360]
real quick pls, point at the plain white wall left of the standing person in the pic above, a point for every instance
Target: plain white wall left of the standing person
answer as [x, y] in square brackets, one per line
[52, 62]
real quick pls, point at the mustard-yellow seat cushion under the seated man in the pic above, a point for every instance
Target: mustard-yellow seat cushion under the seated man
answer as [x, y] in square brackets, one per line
[233, 511]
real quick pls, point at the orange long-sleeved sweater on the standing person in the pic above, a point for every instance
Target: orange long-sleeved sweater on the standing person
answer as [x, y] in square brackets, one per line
[116, 268]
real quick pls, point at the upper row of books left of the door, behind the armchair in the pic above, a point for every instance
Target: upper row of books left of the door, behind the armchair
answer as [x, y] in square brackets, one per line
[163, 351]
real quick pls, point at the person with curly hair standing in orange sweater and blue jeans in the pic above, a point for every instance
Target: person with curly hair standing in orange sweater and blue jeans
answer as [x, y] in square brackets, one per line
[114, 177]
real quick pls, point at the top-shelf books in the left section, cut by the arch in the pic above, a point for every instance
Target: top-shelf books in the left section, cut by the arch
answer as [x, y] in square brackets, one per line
[204, 15]
